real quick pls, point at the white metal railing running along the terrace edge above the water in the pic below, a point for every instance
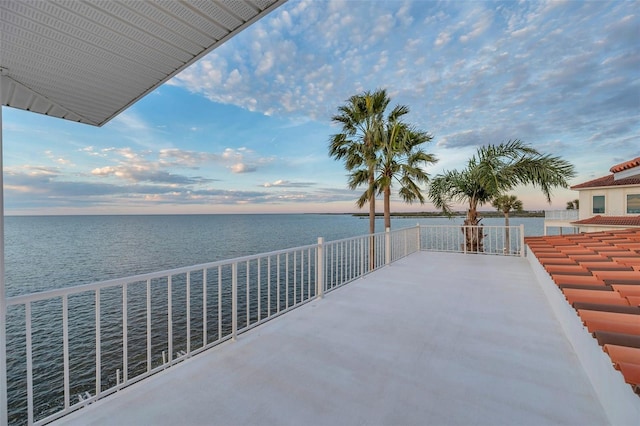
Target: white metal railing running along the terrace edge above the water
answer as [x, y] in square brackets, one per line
[72, 346]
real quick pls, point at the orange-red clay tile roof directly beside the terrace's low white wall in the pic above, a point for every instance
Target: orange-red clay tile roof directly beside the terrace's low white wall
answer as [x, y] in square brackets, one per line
[599, 275]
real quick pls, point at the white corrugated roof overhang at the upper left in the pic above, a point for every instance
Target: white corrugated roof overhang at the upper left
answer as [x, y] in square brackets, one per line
[87, 61]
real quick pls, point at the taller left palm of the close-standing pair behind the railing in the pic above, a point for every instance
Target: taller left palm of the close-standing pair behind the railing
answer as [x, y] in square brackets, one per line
[361, 118]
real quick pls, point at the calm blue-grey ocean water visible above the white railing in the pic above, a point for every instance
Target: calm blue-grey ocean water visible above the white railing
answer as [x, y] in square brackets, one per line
[45, 252]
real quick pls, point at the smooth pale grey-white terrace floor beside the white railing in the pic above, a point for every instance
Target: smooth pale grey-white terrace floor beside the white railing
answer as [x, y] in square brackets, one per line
[432, 339]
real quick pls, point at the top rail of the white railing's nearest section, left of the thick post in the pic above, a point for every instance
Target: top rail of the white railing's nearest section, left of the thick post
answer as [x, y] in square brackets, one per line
[49, 294]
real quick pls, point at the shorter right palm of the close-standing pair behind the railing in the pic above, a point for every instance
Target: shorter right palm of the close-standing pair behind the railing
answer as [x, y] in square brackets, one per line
[401, 160]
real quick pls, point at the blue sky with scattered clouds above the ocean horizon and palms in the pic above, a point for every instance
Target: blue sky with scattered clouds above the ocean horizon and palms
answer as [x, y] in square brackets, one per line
[246, 129]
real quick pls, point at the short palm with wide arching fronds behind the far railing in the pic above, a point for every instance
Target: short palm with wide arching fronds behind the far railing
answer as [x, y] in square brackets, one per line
[494, 170]
